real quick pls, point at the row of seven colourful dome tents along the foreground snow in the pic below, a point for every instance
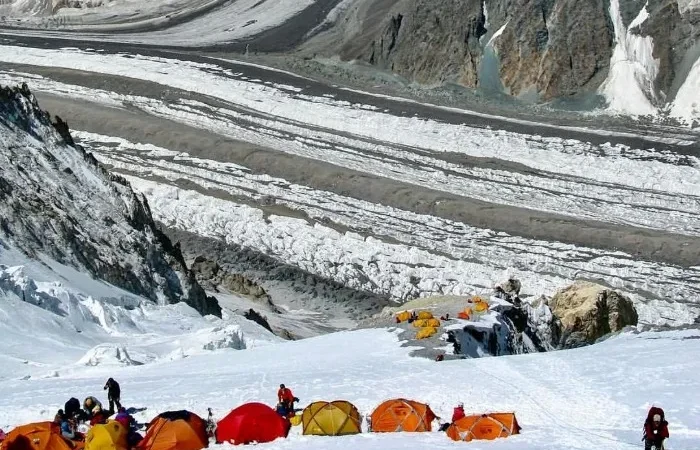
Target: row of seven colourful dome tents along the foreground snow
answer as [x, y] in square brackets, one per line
[258, 423]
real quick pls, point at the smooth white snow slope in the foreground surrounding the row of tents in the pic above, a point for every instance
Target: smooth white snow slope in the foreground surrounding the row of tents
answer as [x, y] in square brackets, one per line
[593, 397]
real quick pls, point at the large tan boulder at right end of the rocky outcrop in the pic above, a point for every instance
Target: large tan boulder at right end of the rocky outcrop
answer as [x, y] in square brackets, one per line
[589, 311]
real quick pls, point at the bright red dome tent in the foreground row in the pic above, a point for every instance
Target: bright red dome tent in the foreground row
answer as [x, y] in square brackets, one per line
[252, 422]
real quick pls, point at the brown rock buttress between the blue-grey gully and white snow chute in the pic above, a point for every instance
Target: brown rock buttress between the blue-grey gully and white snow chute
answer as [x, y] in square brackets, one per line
[553, 47]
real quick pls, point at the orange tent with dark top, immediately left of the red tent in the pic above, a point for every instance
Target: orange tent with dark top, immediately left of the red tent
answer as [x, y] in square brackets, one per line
[175, 430]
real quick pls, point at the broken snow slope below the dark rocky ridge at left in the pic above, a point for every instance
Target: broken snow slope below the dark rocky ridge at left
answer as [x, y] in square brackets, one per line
[56, 321]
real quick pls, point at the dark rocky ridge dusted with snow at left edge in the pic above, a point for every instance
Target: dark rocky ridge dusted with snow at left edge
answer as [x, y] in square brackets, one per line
[56, 200]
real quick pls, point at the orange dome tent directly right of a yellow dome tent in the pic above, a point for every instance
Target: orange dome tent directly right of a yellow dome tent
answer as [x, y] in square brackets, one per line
[402, 415]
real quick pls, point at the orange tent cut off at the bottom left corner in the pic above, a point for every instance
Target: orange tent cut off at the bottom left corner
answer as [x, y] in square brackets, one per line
[38, 436]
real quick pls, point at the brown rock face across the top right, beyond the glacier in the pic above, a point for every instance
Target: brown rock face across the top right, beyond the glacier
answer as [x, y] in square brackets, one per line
[536, 49]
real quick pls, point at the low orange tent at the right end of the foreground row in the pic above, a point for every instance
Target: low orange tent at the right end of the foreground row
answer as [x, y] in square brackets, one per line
[485, 426]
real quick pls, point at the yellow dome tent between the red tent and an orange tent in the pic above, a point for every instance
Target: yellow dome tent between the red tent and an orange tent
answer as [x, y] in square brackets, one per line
[334, 418]
